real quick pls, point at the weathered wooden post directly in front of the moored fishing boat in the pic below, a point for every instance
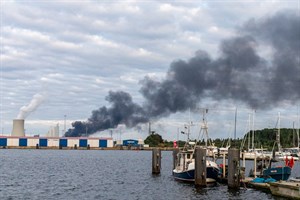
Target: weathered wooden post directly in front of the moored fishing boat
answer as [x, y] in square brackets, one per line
[200, 167]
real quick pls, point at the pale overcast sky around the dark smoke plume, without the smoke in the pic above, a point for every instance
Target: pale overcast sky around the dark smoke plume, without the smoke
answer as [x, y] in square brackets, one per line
[65, 57]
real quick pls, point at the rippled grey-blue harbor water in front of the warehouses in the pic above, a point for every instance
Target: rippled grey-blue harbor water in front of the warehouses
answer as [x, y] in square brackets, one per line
[107, 174]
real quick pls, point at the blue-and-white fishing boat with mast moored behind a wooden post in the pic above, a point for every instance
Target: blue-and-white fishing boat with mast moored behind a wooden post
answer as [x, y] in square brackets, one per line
[185, 165]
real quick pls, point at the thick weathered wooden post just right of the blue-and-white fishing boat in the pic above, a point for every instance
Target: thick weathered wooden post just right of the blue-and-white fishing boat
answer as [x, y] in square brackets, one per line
[233, 168]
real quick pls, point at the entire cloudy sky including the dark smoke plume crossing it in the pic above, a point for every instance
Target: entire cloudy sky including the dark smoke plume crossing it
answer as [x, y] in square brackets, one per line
[115, 66]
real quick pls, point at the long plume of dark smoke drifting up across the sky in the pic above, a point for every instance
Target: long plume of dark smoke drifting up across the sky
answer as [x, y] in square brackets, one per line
[240, 74]
